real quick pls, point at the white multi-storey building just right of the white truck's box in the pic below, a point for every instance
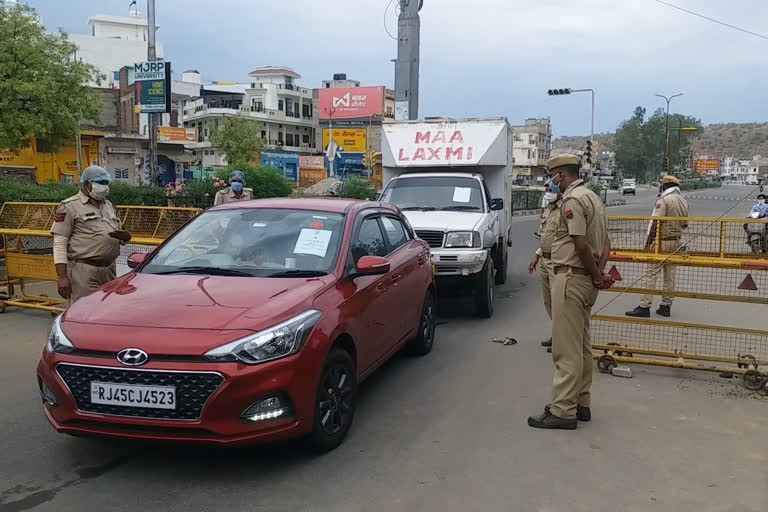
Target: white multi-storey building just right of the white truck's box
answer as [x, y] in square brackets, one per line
[531, 148]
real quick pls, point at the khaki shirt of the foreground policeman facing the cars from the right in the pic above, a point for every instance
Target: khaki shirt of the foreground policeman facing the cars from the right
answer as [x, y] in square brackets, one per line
[582, 213]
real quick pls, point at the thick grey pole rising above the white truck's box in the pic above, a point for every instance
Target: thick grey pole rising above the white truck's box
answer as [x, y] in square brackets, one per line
[407, 63]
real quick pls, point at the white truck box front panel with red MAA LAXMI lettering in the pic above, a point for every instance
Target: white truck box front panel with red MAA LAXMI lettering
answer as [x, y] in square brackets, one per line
[444, 144]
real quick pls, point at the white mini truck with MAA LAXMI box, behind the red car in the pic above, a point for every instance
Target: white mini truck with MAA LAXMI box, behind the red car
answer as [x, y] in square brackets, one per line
[452, 179]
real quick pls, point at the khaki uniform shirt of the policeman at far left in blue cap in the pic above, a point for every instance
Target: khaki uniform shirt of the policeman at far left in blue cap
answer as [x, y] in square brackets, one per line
[86, 225]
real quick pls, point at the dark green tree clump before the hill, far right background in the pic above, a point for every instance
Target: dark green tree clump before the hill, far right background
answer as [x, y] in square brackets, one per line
[640, 143]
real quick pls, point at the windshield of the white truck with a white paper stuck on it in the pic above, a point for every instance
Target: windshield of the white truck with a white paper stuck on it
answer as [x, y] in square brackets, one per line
[435, 193]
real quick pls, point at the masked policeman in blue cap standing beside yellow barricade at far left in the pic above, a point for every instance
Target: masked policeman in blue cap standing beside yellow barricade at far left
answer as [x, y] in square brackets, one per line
[87, 235]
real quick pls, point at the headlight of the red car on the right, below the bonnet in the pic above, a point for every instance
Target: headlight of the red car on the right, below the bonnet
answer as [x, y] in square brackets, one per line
[275, 342]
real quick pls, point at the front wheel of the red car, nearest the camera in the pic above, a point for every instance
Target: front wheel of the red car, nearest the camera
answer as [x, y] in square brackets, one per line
[335, 402]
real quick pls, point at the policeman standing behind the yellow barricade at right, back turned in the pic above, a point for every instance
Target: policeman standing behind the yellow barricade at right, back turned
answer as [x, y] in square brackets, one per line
[670, 203]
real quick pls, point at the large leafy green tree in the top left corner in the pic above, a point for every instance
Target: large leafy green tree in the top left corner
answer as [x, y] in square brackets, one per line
[43, 89]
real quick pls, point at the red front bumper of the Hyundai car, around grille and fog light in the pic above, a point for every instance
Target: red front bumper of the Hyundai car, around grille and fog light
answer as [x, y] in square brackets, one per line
[219, 421]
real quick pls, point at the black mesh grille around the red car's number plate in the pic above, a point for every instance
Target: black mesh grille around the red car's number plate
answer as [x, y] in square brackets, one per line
[192, 389]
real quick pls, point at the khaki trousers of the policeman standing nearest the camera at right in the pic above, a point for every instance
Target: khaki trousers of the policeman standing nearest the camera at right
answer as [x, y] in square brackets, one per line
[573, 296]
